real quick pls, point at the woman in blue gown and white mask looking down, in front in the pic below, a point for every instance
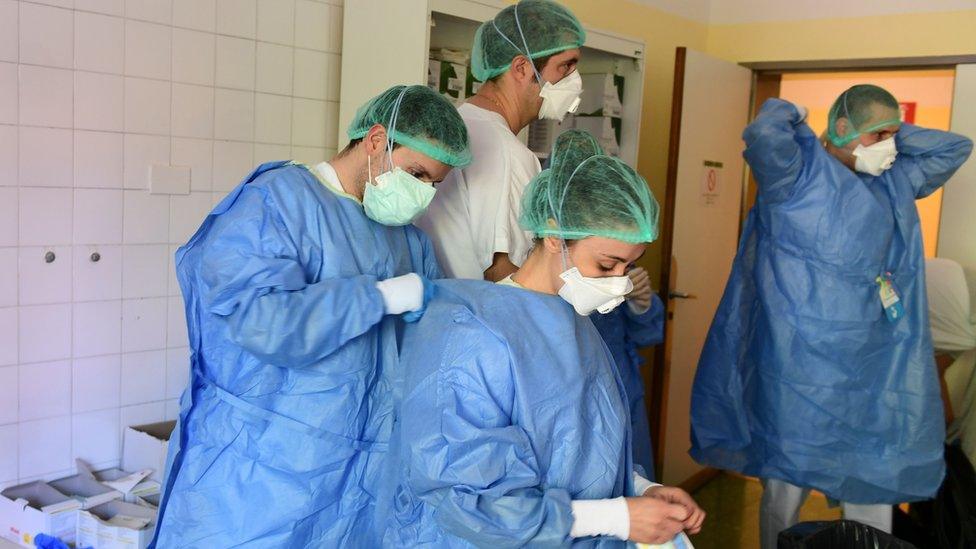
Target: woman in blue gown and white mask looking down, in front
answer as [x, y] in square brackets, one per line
[514, 428]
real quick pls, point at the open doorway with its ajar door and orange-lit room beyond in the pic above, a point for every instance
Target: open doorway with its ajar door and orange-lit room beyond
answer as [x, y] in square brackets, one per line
[700, 225]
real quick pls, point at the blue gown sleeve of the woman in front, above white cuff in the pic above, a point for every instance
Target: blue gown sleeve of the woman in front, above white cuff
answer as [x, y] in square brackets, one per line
[467, 458]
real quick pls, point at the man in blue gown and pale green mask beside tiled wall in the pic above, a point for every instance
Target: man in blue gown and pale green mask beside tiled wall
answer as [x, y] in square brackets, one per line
[294, 287]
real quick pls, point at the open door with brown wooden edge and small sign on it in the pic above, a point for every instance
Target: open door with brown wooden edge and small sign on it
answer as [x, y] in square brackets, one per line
[707, 172]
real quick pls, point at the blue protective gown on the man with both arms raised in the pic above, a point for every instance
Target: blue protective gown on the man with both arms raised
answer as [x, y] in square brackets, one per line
[802, 377]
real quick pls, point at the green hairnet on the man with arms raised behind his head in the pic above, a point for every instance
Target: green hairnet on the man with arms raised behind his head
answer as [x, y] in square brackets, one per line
[867, 108]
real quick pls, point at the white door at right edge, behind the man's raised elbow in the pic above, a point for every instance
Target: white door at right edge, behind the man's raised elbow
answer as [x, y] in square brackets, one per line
[958, 224]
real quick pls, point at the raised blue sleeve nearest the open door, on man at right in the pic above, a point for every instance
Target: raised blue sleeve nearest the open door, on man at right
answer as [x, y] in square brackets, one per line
[772, 151]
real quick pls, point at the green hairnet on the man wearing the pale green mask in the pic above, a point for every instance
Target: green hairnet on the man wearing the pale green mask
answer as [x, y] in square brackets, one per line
[417, 118]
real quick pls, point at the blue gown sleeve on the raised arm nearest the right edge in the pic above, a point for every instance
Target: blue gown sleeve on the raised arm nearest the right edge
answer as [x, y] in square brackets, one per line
[929, 157]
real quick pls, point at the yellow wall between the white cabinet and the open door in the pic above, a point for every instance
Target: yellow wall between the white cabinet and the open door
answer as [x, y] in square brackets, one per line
[662, 33]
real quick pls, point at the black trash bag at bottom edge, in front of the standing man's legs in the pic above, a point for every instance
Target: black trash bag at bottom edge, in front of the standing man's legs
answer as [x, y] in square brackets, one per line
[839, 534]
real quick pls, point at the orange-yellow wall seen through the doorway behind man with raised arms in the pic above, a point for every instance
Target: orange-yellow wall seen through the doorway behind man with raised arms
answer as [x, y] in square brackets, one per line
[931, 90]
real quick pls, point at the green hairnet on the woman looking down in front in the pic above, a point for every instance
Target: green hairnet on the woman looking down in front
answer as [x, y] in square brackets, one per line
[587, 193]
